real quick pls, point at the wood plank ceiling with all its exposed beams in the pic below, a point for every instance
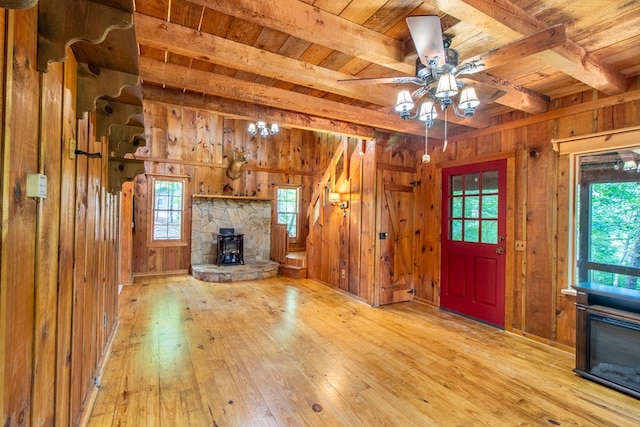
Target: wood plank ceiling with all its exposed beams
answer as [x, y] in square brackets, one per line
[282, 60]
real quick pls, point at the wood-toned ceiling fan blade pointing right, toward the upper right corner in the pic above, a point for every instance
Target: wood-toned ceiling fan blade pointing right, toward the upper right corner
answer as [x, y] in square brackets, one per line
[523, 47]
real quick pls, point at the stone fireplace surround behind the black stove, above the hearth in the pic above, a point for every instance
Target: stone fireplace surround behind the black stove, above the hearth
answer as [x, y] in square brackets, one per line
[248, 216]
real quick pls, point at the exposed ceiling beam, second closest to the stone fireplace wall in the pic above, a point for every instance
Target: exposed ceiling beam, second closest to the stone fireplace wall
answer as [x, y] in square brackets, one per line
[204, 82]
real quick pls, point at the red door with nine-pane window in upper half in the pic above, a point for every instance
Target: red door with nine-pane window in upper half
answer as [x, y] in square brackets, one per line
[473, 241]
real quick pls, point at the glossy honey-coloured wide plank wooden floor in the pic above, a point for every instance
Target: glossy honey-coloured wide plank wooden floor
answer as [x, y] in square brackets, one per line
[287, 352]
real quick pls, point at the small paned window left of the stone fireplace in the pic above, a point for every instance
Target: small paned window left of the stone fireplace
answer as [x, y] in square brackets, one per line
[167, 211]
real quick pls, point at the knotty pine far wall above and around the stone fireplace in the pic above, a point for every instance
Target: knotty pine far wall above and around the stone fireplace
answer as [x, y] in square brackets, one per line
[183, 141]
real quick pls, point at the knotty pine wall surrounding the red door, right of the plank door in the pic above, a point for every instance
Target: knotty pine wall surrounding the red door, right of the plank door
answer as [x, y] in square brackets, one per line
[538, 186]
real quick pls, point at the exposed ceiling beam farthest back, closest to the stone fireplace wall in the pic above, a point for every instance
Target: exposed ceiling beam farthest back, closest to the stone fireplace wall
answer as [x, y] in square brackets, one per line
[239, 109]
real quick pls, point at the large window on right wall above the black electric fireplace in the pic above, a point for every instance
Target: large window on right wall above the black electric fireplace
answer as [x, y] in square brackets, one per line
[607, 210]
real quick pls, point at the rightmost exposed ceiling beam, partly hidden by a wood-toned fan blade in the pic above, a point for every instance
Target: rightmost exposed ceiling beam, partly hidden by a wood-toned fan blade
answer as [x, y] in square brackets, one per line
[505, 21]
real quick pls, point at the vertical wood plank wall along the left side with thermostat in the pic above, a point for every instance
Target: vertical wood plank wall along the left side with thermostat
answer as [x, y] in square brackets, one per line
[58, 258]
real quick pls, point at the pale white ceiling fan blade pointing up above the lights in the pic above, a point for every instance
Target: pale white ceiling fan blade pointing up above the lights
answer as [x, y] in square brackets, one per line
[427, 37]
